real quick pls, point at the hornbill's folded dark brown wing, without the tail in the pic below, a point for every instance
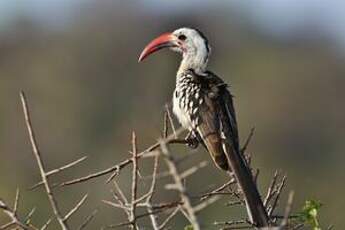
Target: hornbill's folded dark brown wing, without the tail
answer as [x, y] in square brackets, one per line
[218, 128]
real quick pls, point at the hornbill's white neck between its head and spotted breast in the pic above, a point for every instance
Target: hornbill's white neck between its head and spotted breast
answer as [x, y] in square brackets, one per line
[196, 61]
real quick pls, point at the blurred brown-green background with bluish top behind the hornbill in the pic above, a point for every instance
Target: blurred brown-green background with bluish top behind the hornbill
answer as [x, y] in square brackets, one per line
[77, 62]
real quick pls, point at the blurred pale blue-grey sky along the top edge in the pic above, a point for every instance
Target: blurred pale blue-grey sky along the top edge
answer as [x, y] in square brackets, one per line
[279, 18]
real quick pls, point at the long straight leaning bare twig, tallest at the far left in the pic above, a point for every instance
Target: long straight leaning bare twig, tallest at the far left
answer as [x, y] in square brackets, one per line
[37, 154]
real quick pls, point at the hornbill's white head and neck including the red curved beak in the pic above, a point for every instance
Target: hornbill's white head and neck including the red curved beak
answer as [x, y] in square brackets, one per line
[191, 43]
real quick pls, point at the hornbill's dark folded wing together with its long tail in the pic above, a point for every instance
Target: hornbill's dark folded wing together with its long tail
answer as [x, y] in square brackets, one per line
[217, 131]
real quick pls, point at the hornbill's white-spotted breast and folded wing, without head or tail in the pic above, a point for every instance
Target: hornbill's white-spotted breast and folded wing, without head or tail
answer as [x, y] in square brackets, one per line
[196, 102]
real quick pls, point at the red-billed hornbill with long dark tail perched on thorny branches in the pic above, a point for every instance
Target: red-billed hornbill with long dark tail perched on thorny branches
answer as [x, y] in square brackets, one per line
[203, 105]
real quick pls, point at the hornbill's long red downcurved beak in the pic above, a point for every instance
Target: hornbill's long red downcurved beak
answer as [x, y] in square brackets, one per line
[163, 41]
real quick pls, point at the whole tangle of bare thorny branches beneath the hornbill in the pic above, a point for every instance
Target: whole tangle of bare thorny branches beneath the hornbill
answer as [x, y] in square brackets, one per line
[153, 210]
